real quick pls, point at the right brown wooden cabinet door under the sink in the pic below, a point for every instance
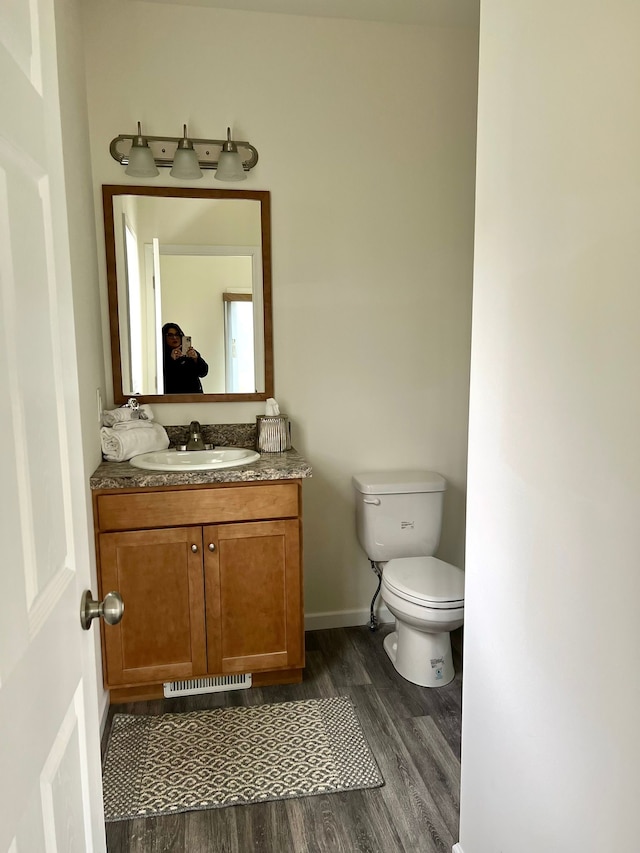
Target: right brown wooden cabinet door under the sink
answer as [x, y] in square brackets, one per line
[253, 596]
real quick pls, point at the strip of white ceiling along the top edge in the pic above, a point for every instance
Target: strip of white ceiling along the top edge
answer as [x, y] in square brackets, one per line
[439, 13]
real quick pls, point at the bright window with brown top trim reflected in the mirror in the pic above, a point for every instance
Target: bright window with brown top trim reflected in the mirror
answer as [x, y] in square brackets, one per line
[238, 343]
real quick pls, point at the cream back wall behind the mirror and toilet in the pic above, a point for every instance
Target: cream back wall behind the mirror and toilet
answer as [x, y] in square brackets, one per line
[366, 140]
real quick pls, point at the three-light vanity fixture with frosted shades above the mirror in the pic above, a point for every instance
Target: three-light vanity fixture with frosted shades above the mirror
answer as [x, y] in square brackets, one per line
[142, 155]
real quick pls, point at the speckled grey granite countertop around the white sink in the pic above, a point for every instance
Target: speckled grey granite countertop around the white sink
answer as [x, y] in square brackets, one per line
[288, 465]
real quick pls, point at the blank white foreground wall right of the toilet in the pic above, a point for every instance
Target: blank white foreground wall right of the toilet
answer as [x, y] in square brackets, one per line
[550, 747]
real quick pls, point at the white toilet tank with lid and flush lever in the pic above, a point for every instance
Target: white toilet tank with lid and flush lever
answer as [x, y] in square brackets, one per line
[399, 513]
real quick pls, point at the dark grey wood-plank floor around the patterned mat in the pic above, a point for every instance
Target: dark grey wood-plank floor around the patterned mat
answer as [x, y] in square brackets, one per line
[414, 733]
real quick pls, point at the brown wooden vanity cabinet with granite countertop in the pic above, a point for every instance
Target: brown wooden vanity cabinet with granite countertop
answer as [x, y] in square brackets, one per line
[209, 567]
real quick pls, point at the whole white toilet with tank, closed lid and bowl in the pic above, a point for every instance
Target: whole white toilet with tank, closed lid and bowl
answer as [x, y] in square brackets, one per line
[398, 518]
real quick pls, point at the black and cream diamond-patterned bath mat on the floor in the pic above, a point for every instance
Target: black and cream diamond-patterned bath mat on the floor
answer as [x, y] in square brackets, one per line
[231, 756]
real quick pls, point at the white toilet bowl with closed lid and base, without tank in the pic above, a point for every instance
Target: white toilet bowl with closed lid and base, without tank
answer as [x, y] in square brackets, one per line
[426, 597]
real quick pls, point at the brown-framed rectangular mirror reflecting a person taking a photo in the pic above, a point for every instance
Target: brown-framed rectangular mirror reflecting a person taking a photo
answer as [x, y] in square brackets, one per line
[189, 281]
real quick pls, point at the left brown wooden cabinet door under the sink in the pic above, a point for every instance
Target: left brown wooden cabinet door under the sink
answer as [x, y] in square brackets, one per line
[161, 636]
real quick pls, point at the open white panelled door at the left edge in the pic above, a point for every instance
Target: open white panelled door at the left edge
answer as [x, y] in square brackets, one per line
[50, 789]
